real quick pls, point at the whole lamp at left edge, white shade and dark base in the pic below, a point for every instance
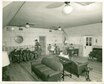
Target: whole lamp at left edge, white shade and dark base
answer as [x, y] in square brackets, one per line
[5, 63]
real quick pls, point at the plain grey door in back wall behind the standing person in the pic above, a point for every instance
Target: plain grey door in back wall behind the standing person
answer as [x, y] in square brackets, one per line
[42, 41]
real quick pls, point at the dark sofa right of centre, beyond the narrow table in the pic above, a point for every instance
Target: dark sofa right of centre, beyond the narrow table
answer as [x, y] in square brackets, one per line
[77, 66]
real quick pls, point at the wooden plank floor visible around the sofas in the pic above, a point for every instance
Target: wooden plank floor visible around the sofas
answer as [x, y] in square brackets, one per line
[22, 72]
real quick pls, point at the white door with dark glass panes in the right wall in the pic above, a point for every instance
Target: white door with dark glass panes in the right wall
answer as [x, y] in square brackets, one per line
[87, 45]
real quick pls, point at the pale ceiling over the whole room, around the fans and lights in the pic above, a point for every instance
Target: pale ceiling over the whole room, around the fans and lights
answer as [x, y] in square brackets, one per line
[42, 17]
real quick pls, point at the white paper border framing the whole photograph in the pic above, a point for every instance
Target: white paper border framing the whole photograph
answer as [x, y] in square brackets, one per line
[11, 82]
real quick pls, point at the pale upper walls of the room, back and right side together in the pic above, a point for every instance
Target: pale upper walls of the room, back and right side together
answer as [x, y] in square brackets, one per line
[75, 36]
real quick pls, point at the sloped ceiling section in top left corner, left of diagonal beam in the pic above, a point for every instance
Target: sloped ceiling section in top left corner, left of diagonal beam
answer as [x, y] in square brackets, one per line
[9, 12]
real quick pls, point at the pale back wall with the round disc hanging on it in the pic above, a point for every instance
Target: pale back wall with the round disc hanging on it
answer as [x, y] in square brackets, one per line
[29, 36]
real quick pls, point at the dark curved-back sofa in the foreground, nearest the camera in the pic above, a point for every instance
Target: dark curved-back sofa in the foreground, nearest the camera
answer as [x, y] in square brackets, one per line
[49, 69]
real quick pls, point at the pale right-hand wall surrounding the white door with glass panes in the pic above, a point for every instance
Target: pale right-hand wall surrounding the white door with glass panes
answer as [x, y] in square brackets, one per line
[75, 35]
